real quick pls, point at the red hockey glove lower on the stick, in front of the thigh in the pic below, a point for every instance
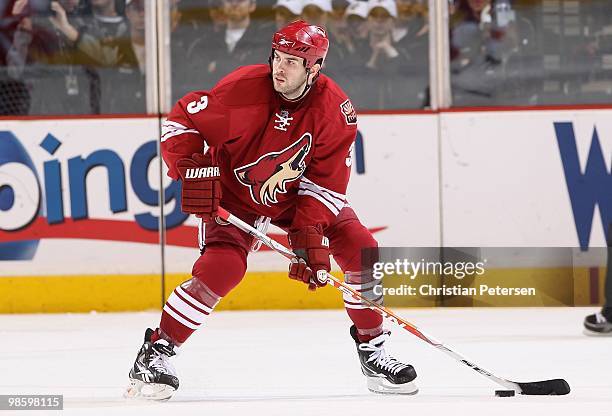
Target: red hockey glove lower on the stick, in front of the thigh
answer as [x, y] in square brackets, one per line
[311, 263]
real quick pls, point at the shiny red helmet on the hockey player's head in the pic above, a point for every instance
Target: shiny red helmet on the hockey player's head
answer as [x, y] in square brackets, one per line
[304, 40]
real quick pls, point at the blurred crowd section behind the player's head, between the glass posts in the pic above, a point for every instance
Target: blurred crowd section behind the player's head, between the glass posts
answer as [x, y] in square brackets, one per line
[378, 48]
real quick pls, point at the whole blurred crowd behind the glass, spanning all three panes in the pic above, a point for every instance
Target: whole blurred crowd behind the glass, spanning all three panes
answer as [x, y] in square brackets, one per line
[88, 56]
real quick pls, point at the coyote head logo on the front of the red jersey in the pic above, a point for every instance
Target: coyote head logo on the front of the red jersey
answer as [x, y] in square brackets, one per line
[268, 176]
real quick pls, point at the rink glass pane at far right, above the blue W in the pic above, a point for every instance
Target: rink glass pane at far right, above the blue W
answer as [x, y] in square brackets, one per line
[525, 52]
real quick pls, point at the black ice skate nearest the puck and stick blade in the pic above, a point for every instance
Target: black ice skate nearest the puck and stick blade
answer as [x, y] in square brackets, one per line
[384, 373]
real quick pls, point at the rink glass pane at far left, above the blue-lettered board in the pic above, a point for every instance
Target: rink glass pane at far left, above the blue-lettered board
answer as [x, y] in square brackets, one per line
[78, 65]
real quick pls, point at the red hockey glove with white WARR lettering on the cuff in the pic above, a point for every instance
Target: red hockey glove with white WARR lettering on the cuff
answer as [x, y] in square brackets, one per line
[201, 186]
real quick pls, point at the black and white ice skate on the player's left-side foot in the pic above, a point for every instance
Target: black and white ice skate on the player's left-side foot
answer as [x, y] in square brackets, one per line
[152, 376]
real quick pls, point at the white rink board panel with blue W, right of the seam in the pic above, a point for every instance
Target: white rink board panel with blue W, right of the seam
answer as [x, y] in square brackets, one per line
[526, 179]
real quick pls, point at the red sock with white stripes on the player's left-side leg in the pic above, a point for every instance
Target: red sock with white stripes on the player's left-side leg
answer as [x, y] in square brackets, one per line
[215, 273]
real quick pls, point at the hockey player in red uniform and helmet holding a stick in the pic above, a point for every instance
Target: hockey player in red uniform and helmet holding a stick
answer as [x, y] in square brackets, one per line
[268, 143]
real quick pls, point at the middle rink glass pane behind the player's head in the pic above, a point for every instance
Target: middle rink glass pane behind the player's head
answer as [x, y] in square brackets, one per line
[394, 76]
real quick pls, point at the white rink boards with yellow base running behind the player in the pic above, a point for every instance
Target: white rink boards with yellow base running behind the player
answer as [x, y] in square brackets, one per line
[79, 223]
